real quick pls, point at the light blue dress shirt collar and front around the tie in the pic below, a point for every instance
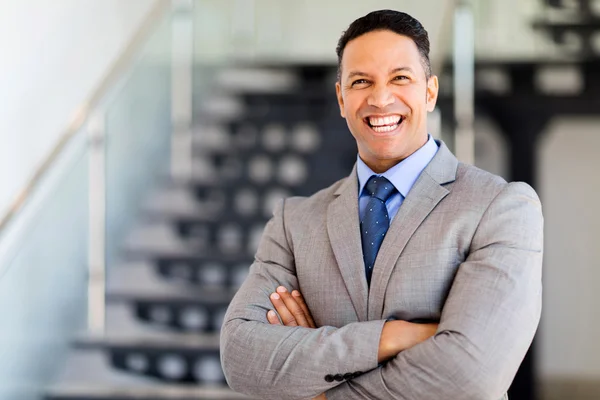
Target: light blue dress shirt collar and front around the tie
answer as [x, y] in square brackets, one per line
[402, 175]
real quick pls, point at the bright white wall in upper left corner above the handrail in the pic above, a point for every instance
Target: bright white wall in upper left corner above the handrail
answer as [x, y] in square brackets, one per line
[53, 53]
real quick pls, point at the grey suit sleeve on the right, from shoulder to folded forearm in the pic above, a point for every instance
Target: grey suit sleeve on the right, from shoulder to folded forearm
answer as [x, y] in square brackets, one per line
[488, 321]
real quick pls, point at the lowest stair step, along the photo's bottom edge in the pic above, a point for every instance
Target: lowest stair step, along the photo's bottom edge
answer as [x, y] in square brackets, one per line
[150, 392]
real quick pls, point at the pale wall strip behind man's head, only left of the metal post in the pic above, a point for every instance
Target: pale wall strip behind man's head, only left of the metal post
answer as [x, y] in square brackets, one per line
[284, 30]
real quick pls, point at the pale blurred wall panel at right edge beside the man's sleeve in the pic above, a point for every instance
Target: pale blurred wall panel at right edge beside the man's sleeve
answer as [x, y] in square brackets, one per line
[569, 185]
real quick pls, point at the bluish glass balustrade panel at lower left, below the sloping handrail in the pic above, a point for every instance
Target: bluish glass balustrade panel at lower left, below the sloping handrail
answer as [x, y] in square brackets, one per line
[43, 285]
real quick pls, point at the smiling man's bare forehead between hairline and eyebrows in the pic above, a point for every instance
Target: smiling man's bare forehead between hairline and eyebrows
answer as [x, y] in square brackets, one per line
[380, 50]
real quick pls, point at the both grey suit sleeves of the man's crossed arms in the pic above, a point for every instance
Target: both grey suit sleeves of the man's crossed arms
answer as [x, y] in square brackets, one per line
[486, 326]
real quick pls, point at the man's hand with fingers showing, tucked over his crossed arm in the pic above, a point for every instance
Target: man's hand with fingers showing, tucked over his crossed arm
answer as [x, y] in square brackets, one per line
[292, 309]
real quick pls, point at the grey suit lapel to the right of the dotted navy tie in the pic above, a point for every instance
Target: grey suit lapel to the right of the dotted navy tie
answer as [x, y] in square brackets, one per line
[424, 196]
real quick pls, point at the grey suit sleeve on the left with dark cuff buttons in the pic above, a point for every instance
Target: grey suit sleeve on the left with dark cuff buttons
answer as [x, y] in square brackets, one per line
[279, 362]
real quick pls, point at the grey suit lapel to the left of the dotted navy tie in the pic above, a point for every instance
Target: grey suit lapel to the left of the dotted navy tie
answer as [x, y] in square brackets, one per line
[344, 234]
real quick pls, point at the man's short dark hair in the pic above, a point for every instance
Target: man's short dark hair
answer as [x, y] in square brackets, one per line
[395, 21]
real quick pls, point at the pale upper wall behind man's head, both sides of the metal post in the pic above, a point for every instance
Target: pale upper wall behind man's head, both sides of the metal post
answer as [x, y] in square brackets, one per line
[308, 30]
